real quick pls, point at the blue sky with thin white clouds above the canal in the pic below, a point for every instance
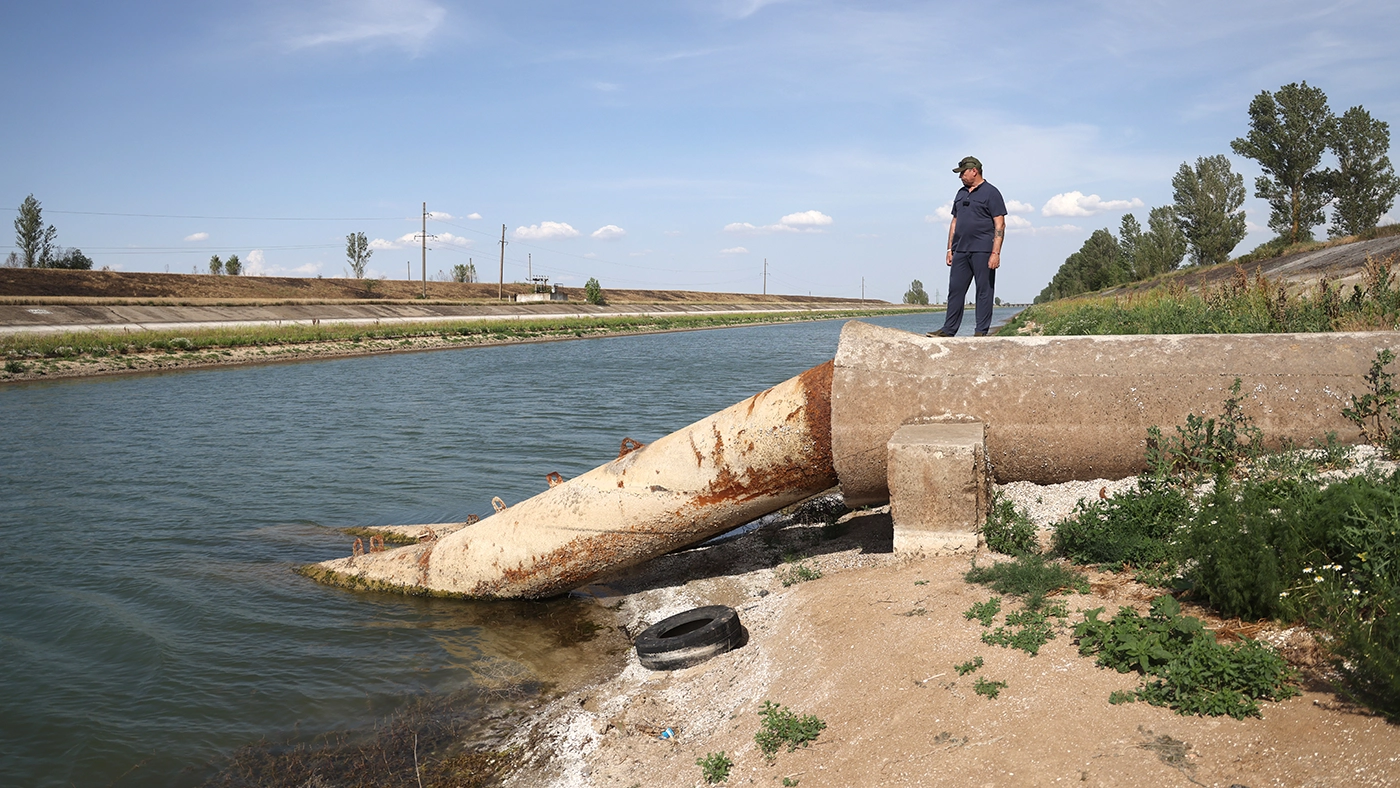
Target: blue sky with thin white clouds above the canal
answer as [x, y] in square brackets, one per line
[647, 145]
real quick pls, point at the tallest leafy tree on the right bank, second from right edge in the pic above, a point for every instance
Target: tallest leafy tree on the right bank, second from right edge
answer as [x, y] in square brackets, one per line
[1289, 134]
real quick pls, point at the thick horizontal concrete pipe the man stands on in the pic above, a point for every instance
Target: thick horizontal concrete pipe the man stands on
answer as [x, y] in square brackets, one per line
[1079, 408]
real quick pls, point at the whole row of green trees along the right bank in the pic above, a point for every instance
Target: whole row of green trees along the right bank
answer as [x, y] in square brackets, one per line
[1289, 134]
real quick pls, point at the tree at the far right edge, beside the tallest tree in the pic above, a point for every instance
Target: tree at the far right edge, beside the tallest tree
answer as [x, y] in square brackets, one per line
[1364, 184]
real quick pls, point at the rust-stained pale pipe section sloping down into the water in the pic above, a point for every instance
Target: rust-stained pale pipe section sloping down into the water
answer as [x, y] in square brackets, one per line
[757, 457]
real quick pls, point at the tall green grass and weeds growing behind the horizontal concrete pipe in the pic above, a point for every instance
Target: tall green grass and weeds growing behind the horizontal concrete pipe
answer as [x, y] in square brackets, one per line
[1241, 304]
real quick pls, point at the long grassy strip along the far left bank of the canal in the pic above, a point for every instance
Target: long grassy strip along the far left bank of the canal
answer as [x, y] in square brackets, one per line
[100, 352]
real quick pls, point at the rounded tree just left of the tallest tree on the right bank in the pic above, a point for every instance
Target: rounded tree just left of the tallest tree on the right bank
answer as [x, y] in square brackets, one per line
[1207, 208]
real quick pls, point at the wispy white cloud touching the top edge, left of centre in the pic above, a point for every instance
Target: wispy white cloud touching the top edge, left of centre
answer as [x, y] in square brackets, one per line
[367, 24]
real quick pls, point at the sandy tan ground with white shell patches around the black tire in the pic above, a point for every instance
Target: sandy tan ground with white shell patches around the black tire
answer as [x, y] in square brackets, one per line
[870, 647]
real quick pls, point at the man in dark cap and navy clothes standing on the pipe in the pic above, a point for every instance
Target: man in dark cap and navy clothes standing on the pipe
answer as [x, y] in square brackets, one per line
[974, 247]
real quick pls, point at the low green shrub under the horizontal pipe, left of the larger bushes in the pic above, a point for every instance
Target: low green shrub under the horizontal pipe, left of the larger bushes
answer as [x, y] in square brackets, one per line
[1133, 528]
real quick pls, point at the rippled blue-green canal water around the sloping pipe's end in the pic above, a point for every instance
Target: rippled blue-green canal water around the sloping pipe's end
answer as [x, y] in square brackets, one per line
[152, 621]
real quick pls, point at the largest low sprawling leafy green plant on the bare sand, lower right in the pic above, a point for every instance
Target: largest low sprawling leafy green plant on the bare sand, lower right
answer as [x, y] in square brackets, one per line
[1184, 668]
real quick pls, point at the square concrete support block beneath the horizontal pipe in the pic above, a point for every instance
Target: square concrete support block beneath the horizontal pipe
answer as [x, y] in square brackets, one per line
[940, 488]
